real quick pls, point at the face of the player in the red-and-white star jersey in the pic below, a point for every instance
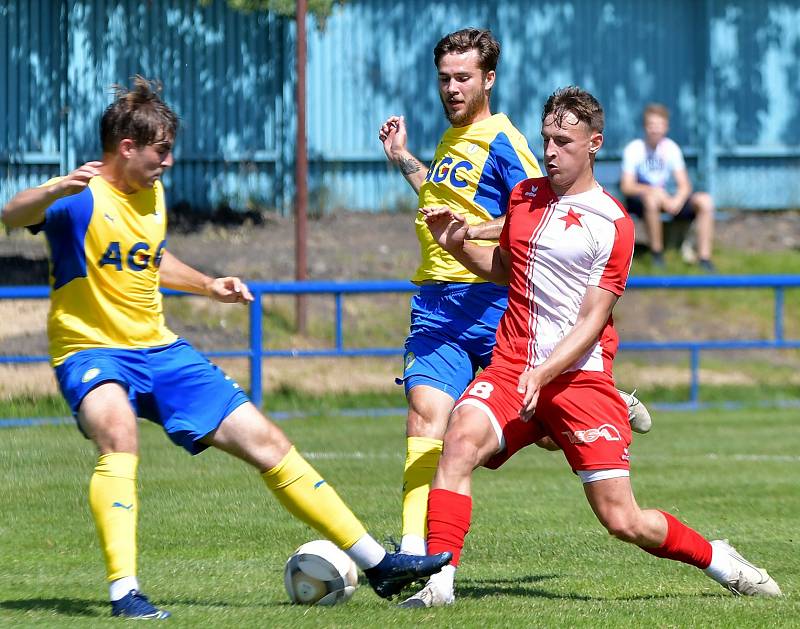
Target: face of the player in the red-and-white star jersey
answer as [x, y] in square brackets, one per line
[568, 150]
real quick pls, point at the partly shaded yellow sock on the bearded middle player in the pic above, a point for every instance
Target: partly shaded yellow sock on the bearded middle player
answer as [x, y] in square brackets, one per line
[422, 457]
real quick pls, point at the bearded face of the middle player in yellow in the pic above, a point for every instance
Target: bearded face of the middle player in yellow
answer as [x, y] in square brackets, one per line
[464, 88]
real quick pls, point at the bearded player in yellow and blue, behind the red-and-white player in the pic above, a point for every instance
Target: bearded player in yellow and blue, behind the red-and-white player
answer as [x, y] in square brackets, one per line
[477, 163]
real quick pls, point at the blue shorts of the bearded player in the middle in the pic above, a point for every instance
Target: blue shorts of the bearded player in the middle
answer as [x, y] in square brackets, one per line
[453, 328]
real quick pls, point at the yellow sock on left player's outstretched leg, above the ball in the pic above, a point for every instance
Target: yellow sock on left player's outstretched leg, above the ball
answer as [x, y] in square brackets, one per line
[306, 495]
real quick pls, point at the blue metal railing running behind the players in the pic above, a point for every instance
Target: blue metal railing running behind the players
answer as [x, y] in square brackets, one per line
[256, 351]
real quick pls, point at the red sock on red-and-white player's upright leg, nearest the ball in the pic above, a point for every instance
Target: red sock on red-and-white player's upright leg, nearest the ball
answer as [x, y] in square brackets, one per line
[449, 515]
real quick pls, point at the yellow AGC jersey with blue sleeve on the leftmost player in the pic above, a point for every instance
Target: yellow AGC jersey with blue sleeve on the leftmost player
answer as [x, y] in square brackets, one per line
[105, 250]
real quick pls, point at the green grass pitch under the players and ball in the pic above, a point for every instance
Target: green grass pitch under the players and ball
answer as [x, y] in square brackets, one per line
[213, 541]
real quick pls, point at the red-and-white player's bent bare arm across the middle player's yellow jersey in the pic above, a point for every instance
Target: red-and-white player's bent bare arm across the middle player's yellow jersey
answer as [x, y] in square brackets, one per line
[449, 229]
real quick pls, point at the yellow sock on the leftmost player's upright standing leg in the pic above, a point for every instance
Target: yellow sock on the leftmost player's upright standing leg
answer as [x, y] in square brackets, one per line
[112, 497]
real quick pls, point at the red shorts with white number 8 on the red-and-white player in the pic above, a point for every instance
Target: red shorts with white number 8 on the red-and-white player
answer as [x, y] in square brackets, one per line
[580, 410]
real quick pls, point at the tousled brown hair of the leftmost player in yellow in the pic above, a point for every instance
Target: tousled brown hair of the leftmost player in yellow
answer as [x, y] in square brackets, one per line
[138, 114]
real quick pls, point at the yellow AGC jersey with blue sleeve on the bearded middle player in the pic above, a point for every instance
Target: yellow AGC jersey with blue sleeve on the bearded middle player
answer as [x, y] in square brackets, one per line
[473, 172]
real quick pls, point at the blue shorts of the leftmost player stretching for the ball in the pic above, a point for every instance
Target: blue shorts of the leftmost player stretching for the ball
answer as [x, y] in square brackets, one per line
[171, 385]
